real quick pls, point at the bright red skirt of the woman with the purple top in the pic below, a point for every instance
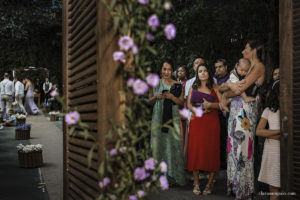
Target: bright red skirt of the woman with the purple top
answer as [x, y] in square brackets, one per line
[204, 141]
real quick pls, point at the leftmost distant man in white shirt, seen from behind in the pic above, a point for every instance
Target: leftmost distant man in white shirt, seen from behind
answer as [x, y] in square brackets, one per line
[7, 90]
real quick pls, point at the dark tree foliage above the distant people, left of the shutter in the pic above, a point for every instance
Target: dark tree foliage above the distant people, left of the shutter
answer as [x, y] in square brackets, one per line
[30, 35]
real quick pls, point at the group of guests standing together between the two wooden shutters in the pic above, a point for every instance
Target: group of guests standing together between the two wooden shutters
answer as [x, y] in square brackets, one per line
[223, 137]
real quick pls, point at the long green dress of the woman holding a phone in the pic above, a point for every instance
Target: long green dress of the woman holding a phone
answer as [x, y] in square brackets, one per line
[167, 147]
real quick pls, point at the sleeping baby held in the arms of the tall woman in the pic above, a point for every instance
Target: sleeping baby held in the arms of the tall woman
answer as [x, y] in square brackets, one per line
[237, 74]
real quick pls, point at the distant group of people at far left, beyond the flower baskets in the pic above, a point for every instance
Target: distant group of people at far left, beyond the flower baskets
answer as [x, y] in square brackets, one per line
[22, 94]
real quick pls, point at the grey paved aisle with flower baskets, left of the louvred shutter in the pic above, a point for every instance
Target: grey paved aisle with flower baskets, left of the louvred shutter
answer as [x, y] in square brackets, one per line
[20, 183]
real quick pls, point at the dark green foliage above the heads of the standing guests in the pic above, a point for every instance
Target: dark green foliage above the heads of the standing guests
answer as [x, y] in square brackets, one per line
[218, 29]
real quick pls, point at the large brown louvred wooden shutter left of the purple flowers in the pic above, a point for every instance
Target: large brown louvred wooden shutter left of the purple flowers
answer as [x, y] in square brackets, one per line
[91, 84]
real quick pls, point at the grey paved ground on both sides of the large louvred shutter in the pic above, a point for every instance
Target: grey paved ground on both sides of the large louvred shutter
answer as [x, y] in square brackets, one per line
[19, 183]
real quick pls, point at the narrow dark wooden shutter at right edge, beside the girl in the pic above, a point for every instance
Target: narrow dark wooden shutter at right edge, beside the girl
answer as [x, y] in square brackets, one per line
[289, 37]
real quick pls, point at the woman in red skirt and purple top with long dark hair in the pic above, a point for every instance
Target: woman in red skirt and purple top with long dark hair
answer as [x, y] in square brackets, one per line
[204, 139]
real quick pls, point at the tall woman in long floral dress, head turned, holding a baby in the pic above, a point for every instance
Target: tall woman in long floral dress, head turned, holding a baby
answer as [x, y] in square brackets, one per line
[242, 125]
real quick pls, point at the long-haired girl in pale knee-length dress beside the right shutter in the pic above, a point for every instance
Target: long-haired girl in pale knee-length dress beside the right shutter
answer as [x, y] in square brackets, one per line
[270, 166]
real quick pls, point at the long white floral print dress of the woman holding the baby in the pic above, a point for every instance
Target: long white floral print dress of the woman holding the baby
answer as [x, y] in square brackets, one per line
[240, 148]
